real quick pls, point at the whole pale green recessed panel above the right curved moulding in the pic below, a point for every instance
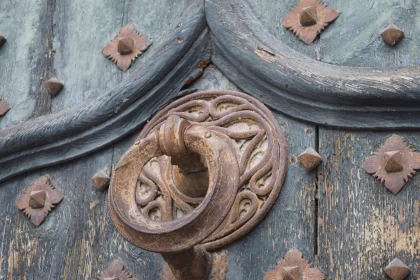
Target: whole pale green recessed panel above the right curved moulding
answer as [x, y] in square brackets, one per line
[354, 38]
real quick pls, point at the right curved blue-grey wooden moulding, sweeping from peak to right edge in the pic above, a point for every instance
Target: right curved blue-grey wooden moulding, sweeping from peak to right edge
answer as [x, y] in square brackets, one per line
[304, 88]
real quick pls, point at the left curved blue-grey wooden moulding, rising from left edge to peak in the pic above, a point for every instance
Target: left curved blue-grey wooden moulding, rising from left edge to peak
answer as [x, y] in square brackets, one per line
[75, 132]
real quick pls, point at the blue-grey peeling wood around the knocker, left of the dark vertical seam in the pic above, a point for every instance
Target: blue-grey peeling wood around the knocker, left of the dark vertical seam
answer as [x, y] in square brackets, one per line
[78, 239]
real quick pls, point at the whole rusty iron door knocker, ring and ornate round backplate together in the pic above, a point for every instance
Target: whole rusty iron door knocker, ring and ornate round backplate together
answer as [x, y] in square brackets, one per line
[204, 171]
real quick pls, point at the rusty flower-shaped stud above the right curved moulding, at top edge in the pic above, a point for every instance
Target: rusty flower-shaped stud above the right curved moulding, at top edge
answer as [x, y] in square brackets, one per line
[308, 19]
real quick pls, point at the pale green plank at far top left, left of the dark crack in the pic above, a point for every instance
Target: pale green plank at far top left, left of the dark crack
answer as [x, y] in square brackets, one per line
[22, 58]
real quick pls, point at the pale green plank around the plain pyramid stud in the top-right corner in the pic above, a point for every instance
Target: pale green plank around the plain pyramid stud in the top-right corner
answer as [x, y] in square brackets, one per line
[354, 38]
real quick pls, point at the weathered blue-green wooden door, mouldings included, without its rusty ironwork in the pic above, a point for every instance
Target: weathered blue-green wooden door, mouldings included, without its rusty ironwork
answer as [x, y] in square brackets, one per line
[343, 95]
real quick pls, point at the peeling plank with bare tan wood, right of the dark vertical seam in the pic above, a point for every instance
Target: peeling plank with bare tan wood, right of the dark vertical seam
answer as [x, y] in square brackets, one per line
[363, 226]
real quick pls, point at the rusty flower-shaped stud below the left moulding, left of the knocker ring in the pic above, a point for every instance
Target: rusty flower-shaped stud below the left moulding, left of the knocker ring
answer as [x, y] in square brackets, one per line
[39, 199]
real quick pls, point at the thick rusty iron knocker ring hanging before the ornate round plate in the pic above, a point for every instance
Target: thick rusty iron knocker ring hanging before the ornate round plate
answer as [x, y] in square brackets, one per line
[175, 235]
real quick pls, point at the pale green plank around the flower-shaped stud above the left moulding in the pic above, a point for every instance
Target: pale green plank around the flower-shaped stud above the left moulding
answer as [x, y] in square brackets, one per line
[83, 28]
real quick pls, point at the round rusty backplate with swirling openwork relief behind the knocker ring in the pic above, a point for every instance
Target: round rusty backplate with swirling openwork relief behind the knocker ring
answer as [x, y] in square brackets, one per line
[260, 149]
